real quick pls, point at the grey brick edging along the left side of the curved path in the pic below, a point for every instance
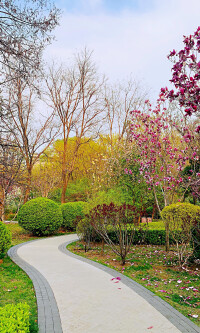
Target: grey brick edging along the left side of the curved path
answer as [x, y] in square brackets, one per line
[48, 313]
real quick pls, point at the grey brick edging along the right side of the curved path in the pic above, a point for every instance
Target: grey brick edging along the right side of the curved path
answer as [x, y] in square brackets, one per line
[175, 317]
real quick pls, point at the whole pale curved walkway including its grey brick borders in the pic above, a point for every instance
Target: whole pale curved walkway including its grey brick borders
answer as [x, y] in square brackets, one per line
[76, 295]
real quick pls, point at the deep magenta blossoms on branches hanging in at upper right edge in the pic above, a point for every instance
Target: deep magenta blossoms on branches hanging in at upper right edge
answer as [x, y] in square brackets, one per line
[186, 76]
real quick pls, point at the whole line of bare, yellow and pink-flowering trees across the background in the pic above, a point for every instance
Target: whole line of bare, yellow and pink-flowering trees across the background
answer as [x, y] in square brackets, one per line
[65, 122]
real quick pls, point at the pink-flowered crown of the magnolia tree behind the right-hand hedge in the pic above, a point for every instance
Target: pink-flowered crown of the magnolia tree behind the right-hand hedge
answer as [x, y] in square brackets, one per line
[160, 161]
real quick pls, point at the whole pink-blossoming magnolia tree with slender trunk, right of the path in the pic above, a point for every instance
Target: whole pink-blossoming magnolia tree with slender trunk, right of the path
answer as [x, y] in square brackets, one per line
[163, 152]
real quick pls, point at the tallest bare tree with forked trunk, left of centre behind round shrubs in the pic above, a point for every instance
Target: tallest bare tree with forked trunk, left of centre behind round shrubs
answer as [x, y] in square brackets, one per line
[76, 96]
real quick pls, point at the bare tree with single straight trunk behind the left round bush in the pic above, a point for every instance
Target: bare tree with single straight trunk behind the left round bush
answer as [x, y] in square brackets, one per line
[30, 136]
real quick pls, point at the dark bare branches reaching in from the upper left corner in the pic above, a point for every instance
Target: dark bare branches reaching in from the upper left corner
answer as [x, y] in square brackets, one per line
[25, 29]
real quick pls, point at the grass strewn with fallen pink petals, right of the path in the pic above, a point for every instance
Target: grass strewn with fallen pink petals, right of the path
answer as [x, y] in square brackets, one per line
[156, 270]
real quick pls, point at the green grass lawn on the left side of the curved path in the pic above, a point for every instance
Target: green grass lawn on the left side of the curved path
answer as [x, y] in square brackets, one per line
[15, 285]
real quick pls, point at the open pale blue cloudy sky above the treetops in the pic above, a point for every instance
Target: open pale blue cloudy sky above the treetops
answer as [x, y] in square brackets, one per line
[127, 37]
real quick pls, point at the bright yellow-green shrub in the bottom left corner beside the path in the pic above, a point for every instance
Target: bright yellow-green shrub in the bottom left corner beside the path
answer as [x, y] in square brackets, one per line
[14, 318]
